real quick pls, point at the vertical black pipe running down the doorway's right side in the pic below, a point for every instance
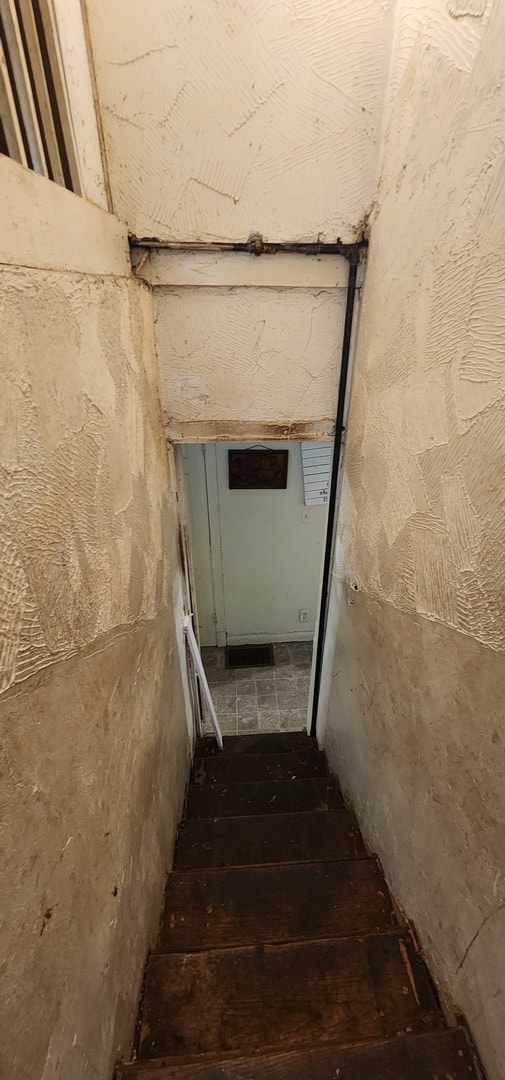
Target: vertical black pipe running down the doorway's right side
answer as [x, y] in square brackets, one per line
[333, 508]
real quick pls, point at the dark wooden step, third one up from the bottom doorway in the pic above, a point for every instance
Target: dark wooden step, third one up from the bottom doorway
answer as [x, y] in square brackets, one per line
[265, 798]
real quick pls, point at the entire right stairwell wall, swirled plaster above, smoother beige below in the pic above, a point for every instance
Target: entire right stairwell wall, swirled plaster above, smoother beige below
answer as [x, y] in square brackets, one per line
[417, 695]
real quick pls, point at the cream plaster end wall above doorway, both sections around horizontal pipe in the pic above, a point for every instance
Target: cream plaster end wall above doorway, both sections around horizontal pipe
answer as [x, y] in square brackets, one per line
[221, 120]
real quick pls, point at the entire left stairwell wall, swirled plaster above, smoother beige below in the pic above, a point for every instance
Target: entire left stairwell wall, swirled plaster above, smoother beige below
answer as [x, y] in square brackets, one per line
[94, 745]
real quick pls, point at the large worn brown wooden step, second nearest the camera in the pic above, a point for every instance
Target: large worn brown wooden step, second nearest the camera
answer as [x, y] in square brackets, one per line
[285, 996]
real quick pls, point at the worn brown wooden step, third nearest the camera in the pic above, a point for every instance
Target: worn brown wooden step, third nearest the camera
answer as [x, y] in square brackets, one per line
[272, 904]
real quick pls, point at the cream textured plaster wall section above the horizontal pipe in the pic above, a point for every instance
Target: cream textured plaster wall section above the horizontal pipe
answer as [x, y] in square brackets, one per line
[227, 118]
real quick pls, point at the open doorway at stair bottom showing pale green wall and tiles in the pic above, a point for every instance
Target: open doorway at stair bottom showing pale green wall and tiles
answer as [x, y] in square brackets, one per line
[257, 552]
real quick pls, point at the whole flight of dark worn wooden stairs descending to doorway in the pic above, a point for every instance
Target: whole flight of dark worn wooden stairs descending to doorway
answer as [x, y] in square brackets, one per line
[281, 956]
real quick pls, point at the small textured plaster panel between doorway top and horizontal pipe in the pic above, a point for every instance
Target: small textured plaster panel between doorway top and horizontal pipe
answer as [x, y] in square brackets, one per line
[249, 357]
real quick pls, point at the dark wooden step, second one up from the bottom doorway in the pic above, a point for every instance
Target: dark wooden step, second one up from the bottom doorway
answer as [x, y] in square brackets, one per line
[250, 768]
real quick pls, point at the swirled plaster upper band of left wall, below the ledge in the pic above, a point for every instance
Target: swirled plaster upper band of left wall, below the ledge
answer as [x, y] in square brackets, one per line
[81, 499]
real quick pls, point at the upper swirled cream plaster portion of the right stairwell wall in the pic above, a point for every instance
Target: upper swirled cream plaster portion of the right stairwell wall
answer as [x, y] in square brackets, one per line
[426, 462]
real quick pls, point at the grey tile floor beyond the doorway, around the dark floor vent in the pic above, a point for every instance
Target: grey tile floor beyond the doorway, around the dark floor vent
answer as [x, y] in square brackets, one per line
[262, 699]
